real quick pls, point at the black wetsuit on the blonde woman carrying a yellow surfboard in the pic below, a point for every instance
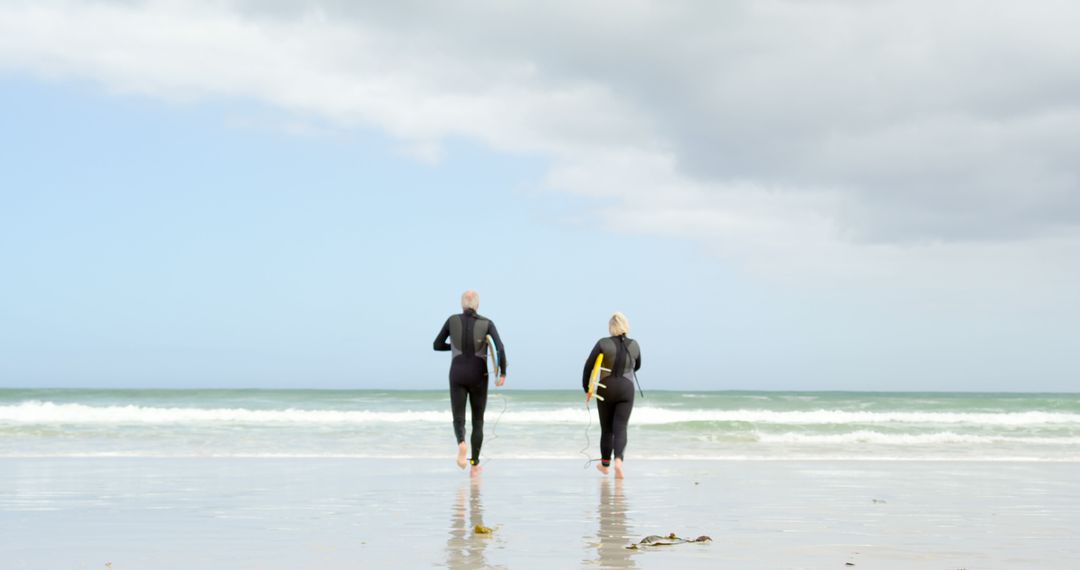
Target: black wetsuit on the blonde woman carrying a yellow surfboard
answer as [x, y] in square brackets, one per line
[624, 357]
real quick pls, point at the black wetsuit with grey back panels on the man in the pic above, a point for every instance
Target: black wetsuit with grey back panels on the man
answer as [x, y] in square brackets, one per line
[468, 340]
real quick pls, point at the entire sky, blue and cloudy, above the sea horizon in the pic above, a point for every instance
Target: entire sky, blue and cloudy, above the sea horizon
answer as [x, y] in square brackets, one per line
[821, 195]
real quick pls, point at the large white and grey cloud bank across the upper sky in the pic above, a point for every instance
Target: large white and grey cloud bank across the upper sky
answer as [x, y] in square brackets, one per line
[830, 134]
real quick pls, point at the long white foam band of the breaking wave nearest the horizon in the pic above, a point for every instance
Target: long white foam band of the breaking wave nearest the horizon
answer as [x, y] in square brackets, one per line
[48, 413]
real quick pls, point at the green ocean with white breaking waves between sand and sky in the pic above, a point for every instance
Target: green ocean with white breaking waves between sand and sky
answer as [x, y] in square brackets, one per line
[539, 425]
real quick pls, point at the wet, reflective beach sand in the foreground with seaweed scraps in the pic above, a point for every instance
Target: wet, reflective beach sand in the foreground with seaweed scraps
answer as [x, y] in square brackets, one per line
[145, 513]
